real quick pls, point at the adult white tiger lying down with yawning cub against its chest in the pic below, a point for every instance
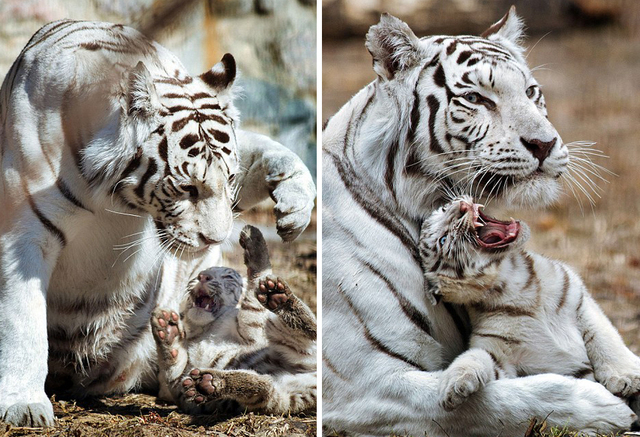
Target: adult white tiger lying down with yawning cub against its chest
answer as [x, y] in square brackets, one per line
[439, 105]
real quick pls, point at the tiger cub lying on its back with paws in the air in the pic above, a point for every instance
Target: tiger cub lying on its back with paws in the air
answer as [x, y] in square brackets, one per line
[255, 346]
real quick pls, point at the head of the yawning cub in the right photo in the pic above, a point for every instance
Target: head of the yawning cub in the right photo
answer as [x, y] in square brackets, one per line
[459, 241]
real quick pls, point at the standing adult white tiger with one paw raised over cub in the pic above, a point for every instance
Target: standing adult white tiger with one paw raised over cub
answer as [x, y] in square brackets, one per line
[104, 136]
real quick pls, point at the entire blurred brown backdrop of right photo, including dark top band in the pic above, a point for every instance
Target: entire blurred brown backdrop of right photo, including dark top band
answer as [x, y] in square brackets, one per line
[588, 54]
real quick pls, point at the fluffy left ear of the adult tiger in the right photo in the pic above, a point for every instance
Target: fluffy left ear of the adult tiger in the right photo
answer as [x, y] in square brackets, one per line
[393, 46]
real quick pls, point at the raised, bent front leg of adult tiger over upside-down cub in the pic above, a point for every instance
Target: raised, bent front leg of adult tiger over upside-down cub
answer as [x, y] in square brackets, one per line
[274, 171]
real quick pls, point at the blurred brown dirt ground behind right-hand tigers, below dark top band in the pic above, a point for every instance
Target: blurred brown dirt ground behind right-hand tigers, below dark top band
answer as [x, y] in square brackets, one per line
[590, 81]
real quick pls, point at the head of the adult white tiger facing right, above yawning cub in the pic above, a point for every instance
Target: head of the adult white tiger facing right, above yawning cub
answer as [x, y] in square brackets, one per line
[470, 114]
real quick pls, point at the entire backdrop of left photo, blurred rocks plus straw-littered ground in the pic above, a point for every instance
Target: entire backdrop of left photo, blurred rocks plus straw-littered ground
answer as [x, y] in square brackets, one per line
[274, 44]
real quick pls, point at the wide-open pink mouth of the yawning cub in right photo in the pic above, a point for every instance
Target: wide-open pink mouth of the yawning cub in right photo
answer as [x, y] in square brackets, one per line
[491, 233]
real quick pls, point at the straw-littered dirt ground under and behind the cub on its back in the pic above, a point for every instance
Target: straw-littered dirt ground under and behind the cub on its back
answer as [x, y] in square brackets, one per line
[139, 415]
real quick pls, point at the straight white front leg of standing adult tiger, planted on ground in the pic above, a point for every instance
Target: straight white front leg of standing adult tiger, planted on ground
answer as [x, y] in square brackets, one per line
[26, 262]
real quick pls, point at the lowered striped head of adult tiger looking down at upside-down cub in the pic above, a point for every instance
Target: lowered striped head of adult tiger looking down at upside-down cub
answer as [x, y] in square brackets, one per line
[183, 170]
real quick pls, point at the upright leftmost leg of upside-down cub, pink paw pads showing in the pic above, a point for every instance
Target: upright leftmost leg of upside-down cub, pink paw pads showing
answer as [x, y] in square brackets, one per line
[169, 335]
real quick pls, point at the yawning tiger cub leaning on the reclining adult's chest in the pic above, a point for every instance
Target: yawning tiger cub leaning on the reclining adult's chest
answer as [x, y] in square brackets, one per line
[529, 314]
